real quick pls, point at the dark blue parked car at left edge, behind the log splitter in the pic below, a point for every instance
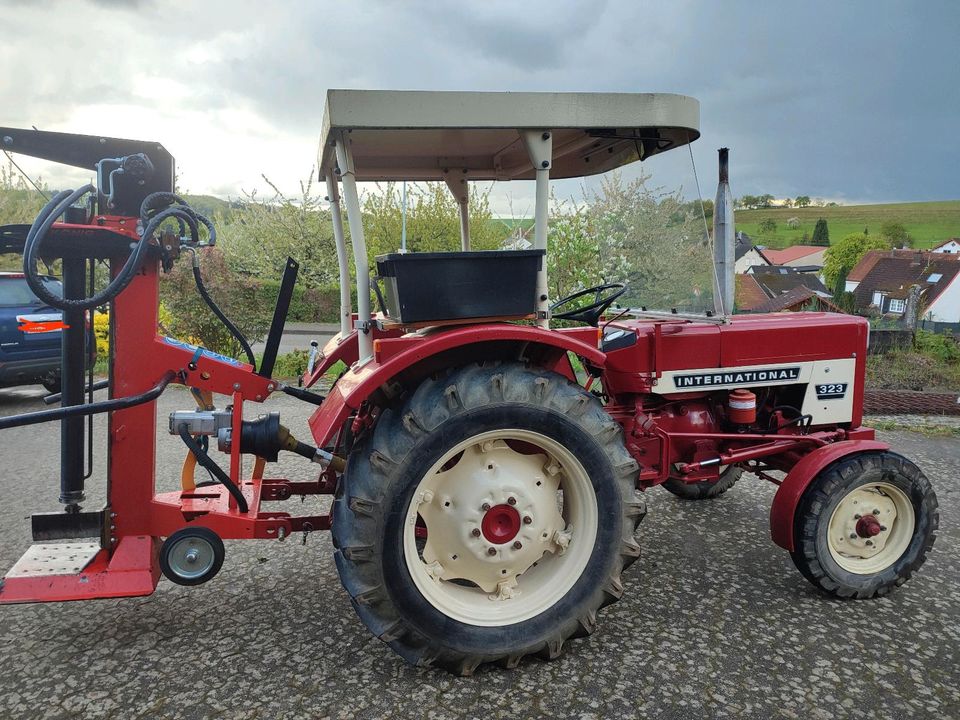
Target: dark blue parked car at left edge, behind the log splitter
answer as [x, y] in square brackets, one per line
[32, 356]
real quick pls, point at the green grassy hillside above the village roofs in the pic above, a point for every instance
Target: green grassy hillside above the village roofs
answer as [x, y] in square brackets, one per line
[930, 223]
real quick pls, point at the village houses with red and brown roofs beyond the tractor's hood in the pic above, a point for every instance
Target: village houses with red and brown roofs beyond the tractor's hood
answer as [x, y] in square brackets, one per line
[900, 285]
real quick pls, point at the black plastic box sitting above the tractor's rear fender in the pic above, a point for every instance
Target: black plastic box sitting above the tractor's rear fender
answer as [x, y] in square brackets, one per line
[423, 287]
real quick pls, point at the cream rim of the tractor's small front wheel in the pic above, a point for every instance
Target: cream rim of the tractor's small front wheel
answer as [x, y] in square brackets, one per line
[871, 528]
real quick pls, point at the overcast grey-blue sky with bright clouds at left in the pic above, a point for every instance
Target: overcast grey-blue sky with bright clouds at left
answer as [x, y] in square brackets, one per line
[852, 101]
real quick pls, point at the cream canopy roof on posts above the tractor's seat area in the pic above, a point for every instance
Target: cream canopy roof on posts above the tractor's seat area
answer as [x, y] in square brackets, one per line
[424, 135]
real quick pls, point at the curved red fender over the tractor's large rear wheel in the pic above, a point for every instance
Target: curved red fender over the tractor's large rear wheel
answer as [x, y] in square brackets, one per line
[394, 355]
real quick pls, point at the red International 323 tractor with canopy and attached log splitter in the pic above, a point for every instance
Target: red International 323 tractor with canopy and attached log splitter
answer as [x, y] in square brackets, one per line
[484, 466]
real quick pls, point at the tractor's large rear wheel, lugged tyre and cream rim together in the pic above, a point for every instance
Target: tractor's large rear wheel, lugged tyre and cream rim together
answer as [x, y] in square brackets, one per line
[487, 519]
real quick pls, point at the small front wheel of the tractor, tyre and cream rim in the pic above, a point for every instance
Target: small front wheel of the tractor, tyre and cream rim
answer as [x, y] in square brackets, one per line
[864, 525]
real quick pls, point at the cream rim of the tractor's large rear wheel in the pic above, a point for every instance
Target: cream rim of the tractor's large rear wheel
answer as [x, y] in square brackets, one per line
[510, 584]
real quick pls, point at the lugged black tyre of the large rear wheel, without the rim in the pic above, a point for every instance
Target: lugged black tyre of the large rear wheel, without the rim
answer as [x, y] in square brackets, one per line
[387, 465]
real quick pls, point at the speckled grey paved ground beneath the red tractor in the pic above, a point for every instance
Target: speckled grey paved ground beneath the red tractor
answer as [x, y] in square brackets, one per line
[715, 622]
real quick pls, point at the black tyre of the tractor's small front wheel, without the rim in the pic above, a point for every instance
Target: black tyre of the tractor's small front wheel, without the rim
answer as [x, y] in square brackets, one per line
[811, 554]
